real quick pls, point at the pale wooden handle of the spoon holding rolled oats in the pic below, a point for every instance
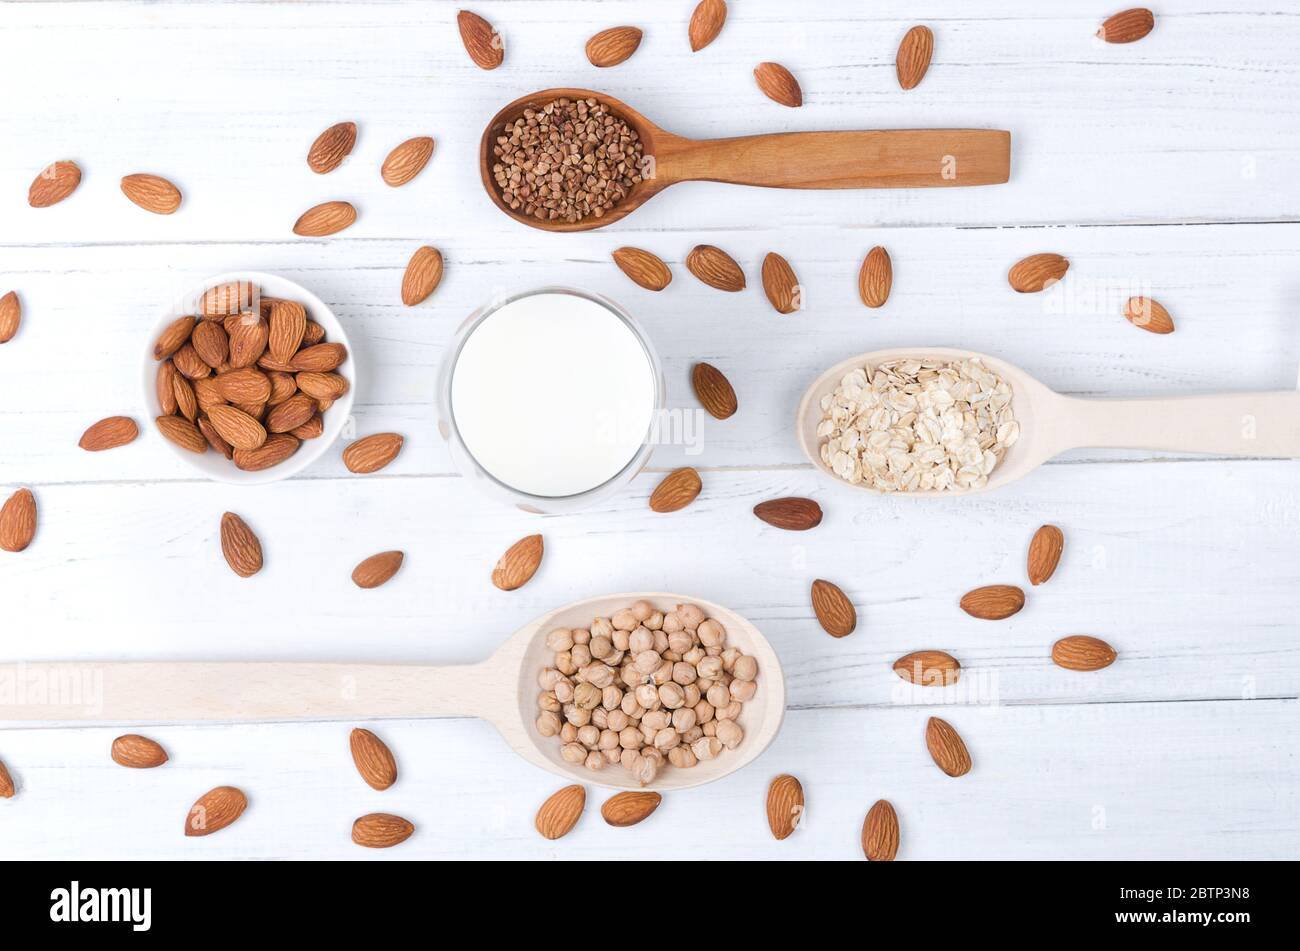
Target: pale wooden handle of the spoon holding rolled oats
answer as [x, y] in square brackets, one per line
[1246, 424]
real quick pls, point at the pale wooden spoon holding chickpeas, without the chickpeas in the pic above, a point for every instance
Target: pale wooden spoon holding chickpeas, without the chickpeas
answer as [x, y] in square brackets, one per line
[501, 689]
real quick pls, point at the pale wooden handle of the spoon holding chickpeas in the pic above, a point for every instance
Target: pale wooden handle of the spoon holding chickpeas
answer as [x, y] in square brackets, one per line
[167, 692]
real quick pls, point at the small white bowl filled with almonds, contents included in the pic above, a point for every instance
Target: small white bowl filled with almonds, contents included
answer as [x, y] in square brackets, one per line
[249, 377]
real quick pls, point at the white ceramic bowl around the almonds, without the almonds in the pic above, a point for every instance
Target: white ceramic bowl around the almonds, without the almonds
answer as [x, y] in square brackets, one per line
[214, 464]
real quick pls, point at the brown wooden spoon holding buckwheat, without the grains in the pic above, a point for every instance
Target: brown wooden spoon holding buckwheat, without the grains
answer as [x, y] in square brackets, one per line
[883, 159]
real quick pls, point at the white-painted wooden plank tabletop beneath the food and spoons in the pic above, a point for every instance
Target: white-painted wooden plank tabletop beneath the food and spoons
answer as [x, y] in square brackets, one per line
[1168, 166]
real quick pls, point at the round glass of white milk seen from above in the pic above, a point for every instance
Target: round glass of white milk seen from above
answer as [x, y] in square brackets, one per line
[549, 398]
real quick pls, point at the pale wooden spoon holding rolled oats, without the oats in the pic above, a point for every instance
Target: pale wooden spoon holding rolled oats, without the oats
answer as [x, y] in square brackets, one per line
[1242, 424]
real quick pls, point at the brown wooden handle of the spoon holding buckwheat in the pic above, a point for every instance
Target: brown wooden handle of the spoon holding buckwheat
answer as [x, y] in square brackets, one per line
[900, 159]
